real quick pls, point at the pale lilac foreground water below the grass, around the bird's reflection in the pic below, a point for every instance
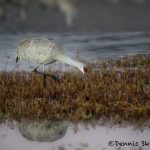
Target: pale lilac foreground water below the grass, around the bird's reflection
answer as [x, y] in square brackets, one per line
[80, 137]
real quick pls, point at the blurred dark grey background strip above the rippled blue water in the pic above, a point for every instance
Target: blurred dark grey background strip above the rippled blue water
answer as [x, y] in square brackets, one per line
[74, 15]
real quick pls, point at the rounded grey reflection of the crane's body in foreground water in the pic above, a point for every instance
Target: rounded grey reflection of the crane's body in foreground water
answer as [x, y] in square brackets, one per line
[42, 131]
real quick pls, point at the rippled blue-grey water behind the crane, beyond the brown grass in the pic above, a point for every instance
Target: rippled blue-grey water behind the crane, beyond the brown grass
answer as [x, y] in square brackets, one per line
[90, 46]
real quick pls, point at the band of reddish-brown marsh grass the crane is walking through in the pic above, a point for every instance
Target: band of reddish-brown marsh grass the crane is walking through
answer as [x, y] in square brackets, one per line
[103, 92]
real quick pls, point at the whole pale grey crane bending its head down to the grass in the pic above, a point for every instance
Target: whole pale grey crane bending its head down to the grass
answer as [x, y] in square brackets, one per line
[43, 52]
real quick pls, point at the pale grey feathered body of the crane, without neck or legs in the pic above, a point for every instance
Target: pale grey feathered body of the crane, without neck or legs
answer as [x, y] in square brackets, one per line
[41, 51]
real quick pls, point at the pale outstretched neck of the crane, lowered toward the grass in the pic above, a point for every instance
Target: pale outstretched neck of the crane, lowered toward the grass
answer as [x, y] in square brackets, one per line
[67, 60]
